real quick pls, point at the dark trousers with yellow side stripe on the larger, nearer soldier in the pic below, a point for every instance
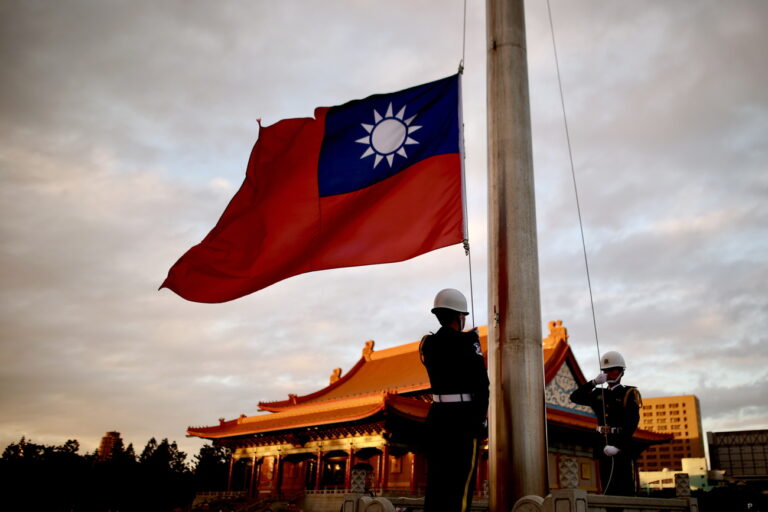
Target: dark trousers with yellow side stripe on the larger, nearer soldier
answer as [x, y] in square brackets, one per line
[452, 448]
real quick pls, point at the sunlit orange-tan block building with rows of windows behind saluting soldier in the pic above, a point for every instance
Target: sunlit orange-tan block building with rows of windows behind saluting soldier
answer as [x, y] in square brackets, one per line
[676, 415]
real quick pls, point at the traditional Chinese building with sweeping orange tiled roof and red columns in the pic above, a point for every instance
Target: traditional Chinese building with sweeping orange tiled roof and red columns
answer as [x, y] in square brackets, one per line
[372, 417]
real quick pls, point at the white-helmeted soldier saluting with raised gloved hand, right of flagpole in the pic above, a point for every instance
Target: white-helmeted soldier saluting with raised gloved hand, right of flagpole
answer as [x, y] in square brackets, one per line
[617, 408]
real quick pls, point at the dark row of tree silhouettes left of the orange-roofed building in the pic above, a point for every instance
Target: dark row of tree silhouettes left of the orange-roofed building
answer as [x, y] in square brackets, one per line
[61, 479]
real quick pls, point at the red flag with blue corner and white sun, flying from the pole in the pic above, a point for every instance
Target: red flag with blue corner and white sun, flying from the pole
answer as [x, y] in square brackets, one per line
[377, 180]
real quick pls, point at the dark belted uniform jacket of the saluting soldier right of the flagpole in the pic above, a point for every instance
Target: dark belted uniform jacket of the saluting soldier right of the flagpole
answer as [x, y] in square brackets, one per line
[621, 405]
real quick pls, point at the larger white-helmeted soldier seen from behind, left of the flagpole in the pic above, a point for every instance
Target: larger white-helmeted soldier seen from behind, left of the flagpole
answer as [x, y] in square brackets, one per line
[456, 423]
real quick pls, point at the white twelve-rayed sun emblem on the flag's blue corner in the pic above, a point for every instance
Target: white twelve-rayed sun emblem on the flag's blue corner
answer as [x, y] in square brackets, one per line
[388, 135]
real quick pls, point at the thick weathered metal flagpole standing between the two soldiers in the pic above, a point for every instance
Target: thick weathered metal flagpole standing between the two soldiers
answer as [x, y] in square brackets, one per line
[518, 436]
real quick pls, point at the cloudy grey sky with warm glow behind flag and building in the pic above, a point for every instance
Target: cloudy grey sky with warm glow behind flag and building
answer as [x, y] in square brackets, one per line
[126, 127]
